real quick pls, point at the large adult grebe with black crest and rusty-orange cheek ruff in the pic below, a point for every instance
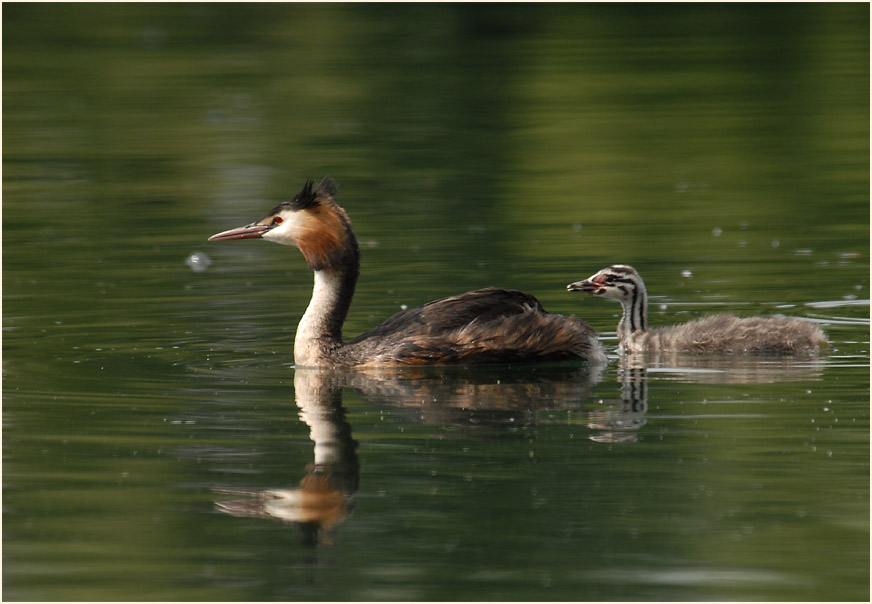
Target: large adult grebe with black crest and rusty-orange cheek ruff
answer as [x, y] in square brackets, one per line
[486, 326]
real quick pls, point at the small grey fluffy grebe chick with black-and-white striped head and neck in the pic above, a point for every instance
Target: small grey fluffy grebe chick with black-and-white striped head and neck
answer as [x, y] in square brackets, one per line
[721, 333]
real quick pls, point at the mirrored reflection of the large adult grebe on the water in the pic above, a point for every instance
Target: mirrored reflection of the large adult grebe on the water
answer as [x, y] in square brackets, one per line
[484, 402]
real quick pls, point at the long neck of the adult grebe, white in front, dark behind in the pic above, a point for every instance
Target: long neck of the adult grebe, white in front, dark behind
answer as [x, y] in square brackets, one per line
[319, 333]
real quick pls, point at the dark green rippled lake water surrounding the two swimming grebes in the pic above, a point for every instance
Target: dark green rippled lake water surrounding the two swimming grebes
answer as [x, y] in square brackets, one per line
[723, 151]
